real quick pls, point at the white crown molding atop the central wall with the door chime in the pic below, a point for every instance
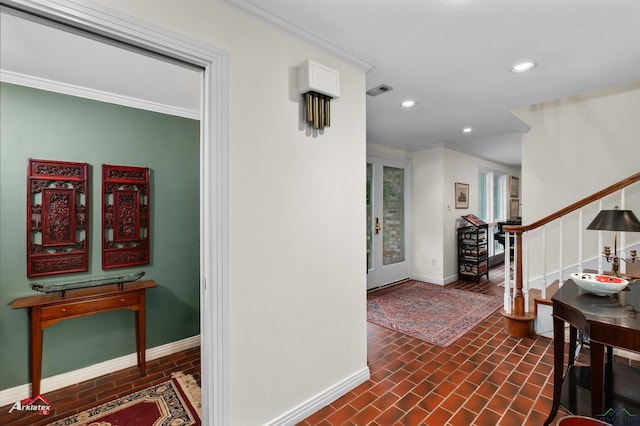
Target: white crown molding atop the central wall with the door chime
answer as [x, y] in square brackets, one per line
[300, 33]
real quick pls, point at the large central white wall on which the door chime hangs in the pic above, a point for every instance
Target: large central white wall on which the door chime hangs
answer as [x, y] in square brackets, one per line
[297, 214]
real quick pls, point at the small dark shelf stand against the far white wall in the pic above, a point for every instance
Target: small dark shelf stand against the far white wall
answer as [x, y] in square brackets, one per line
[473, 254]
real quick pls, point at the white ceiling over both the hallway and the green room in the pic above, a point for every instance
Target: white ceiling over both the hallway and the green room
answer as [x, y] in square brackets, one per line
[453, 57]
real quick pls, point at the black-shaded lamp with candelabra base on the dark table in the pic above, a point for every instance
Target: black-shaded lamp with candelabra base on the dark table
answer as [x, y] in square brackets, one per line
[616, 220]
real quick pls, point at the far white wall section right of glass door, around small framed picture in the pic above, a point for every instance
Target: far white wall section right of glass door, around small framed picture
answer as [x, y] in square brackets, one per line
[435, 172]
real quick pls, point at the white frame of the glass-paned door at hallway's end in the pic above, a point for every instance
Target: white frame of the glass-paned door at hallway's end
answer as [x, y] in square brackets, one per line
[405, 163]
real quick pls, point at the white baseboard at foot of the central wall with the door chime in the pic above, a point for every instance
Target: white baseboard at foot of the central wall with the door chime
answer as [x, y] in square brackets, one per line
[323, 399]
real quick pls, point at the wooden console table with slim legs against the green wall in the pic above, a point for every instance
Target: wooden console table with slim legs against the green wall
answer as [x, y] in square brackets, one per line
[51, 308]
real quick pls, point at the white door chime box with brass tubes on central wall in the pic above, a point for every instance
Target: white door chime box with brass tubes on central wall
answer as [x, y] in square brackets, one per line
[318, 85]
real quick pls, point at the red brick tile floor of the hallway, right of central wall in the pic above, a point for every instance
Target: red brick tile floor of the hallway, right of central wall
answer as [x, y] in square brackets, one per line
[485, 378]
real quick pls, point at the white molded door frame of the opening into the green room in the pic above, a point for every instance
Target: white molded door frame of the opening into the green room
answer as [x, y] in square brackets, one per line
[214, 283]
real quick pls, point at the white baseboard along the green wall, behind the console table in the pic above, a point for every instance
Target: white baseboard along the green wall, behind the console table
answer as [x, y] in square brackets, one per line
[48, 384]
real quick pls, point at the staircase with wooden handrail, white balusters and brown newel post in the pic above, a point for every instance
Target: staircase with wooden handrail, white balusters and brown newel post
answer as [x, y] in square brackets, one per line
[535, 276]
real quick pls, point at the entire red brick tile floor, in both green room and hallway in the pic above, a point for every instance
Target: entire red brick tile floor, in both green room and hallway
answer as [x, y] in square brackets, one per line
[484, 378]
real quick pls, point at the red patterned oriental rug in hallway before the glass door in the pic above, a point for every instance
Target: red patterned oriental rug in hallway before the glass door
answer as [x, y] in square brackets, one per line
[429, 312]
